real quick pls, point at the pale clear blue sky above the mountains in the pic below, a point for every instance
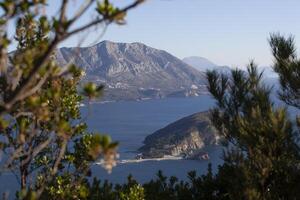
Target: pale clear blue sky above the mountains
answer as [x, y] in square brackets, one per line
[227, 32]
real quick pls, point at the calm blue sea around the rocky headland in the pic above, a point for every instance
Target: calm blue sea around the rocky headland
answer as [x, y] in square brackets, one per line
[129, 123]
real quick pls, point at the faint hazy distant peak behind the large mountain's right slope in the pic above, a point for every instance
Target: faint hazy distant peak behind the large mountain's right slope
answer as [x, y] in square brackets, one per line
[203, 64]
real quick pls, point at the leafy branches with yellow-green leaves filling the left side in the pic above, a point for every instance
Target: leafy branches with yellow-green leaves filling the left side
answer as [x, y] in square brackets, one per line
[45, 140]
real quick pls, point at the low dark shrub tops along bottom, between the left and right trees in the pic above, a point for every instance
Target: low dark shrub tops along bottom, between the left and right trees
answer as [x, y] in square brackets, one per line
[161, 188]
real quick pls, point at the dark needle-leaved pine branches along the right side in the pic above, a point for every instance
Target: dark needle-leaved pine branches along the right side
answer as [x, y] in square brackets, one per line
[262, 156]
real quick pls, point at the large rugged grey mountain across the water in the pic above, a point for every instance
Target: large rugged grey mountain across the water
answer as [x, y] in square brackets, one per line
[134, 71]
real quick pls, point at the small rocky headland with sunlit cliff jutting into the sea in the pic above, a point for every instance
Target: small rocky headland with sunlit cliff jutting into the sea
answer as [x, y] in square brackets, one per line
[183, 137]
